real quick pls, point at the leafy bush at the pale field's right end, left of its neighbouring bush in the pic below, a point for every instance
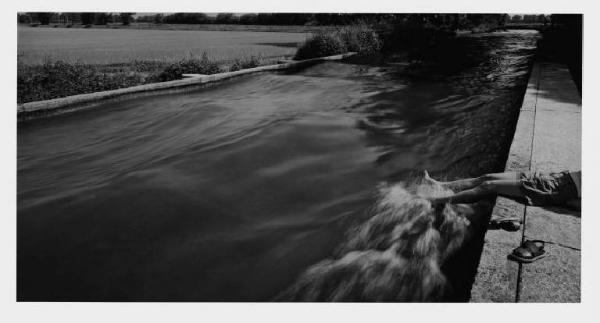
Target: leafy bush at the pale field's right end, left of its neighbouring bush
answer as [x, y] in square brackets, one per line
[321, 44]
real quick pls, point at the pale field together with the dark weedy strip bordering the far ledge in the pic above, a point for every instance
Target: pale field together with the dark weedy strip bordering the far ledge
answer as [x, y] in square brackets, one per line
[59, 62]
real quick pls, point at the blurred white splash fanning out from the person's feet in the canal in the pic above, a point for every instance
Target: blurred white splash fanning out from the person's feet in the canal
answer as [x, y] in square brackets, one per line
[394, 256]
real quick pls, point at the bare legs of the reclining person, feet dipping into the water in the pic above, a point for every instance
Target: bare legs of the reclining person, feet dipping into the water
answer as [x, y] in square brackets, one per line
[471, 190]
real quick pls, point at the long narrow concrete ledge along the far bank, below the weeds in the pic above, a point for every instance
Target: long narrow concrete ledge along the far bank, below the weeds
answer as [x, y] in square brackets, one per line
[31, 110]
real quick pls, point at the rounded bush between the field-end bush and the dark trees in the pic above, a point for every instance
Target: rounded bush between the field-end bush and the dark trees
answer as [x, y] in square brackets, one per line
[361, 39]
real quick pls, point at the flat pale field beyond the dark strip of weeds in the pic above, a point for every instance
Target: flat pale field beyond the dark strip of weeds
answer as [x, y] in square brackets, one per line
[109, 46]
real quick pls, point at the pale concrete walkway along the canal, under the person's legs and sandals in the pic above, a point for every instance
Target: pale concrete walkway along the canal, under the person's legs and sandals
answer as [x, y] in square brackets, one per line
[547, 138]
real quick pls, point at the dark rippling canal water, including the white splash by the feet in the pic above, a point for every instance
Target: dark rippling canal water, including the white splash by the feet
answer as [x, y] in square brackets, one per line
[271, 186]
